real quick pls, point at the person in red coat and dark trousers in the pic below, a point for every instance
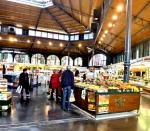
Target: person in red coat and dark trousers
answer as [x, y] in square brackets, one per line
[55, 84]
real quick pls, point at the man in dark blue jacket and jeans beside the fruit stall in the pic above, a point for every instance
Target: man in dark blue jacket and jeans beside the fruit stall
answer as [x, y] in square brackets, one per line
[67, 83]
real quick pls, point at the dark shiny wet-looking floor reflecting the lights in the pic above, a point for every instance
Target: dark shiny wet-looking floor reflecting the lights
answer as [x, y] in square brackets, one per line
[40, 114]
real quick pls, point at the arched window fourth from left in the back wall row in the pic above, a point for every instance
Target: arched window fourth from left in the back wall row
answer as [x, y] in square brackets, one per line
[53, 60]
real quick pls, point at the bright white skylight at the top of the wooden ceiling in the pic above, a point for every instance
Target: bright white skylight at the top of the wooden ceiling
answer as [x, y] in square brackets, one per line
[37, 3]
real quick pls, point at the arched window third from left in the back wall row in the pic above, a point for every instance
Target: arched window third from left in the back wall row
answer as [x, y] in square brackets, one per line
[38, 59]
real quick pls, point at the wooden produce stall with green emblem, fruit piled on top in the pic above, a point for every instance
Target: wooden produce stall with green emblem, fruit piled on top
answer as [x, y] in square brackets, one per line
[100, 99]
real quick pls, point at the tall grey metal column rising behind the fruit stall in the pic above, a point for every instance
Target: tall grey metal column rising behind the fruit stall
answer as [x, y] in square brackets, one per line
[128, 41]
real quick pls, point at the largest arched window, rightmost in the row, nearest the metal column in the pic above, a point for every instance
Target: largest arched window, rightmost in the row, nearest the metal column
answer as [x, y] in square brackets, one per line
[98, 60]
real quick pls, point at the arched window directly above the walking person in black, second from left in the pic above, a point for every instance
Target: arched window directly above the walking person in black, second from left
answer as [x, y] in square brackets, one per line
[21, 58]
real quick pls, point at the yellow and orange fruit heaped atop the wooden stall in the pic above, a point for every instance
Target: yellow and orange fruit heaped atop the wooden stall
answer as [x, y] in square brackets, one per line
[109, 86]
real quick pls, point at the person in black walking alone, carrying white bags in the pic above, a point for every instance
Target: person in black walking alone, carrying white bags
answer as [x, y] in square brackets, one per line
[24, 82]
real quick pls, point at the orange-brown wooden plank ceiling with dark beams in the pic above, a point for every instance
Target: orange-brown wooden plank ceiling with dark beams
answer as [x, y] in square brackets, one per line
[71, 16]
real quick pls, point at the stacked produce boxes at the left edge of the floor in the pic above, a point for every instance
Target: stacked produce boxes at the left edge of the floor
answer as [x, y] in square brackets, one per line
[5, 97]
